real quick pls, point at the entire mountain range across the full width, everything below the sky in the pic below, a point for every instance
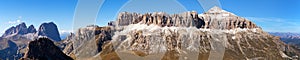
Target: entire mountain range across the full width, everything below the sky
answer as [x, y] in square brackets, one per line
[213, 35]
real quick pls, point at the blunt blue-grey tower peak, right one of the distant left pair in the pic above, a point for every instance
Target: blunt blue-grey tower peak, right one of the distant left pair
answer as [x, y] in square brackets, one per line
[49, 30]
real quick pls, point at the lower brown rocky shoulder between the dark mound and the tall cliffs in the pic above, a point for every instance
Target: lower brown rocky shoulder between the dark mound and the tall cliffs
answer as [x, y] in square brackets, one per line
[88, 41]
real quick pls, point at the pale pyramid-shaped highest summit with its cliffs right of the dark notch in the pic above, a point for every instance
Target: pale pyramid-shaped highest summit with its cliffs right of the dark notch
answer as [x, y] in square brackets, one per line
[216, 18]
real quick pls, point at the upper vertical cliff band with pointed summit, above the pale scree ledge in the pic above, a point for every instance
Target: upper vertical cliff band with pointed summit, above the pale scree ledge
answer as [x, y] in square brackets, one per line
[215, 18]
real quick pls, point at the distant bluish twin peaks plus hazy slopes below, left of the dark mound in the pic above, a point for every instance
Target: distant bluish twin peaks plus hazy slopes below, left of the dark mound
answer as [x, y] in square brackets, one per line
[15, 39]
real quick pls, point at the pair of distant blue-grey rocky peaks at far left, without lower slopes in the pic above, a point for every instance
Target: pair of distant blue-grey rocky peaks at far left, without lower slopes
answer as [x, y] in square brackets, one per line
[21, 31]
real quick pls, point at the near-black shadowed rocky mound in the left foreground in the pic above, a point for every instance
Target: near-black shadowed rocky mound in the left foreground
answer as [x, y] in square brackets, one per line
[44, 49]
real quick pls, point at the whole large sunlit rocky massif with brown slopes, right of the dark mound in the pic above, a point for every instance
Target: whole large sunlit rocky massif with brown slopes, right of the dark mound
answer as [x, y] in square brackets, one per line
[214, 35]
